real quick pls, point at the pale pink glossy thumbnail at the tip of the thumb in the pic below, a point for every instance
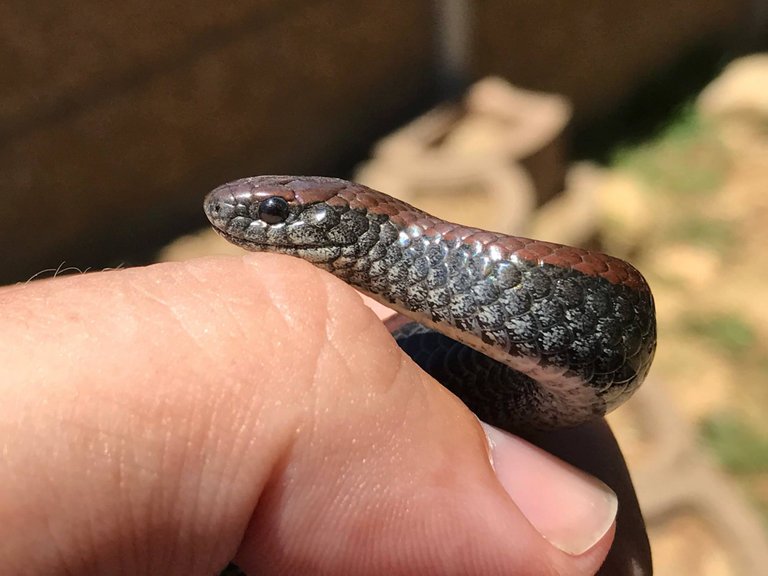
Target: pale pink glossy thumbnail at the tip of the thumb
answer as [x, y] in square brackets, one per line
[568, 507]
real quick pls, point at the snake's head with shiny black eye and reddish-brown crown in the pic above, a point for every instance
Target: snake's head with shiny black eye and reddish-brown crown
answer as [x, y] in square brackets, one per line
[288, 215]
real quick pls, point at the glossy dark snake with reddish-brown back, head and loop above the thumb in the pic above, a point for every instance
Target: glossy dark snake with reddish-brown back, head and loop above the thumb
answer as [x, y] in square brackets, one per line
[530, 335]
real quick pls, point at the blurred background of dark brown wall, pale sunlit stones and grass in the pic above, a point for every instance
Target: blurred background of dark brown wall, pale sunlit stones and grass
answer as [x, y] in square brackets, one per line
[637, 127]
